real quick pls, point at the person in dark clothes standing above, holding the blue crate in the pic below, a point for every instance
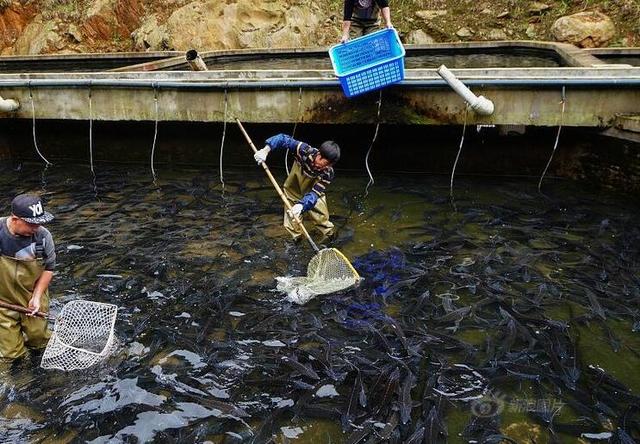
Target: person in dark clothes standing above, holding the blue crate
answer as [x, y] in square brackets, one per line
[362, 17]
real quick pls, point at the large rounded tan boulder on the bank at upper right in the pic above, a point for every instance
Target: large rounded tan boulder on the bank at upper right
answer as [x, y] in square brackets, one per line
[585, 29]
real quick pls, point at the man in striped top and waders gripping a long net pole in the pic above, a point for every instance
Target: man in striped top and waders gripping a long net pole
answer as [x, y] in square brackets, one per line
[311, 173]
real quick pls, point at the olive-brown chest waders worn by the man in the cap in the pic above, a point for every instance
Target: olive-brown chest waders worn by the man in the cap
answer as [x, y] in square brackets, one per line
[17, 330]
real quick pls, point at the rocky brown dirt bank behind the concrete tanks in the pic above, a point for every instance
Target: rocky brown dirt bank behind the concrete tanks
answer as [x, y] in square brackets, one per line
[76, 26]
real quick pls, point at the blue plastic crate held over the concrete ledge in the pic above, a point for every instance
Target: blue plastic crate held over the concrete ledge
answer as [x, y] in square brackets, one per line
[369, 62]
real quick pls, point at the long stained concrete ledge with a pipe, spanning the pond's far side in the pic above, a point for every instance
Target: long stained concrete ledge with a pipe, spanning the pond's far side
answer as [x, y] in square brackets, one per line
[595, 96]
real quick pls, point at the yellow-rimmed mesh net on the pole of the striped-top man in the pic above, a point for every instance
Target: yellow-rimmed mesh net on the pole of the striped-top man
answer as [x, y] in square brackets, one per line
[327, 272]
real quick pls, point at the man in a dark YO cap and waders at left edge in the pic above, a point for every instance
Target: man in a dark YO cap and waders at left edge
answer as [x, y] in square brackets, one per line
[26, 268]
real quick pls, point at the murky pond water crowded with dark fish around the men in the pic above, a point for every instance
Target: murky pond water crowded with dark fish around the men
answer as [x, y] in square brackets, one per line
[511, 314]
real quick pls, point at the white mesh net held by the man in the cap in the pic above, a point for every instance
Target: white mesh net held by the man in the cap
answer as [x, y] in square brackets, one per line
[82, 336]
